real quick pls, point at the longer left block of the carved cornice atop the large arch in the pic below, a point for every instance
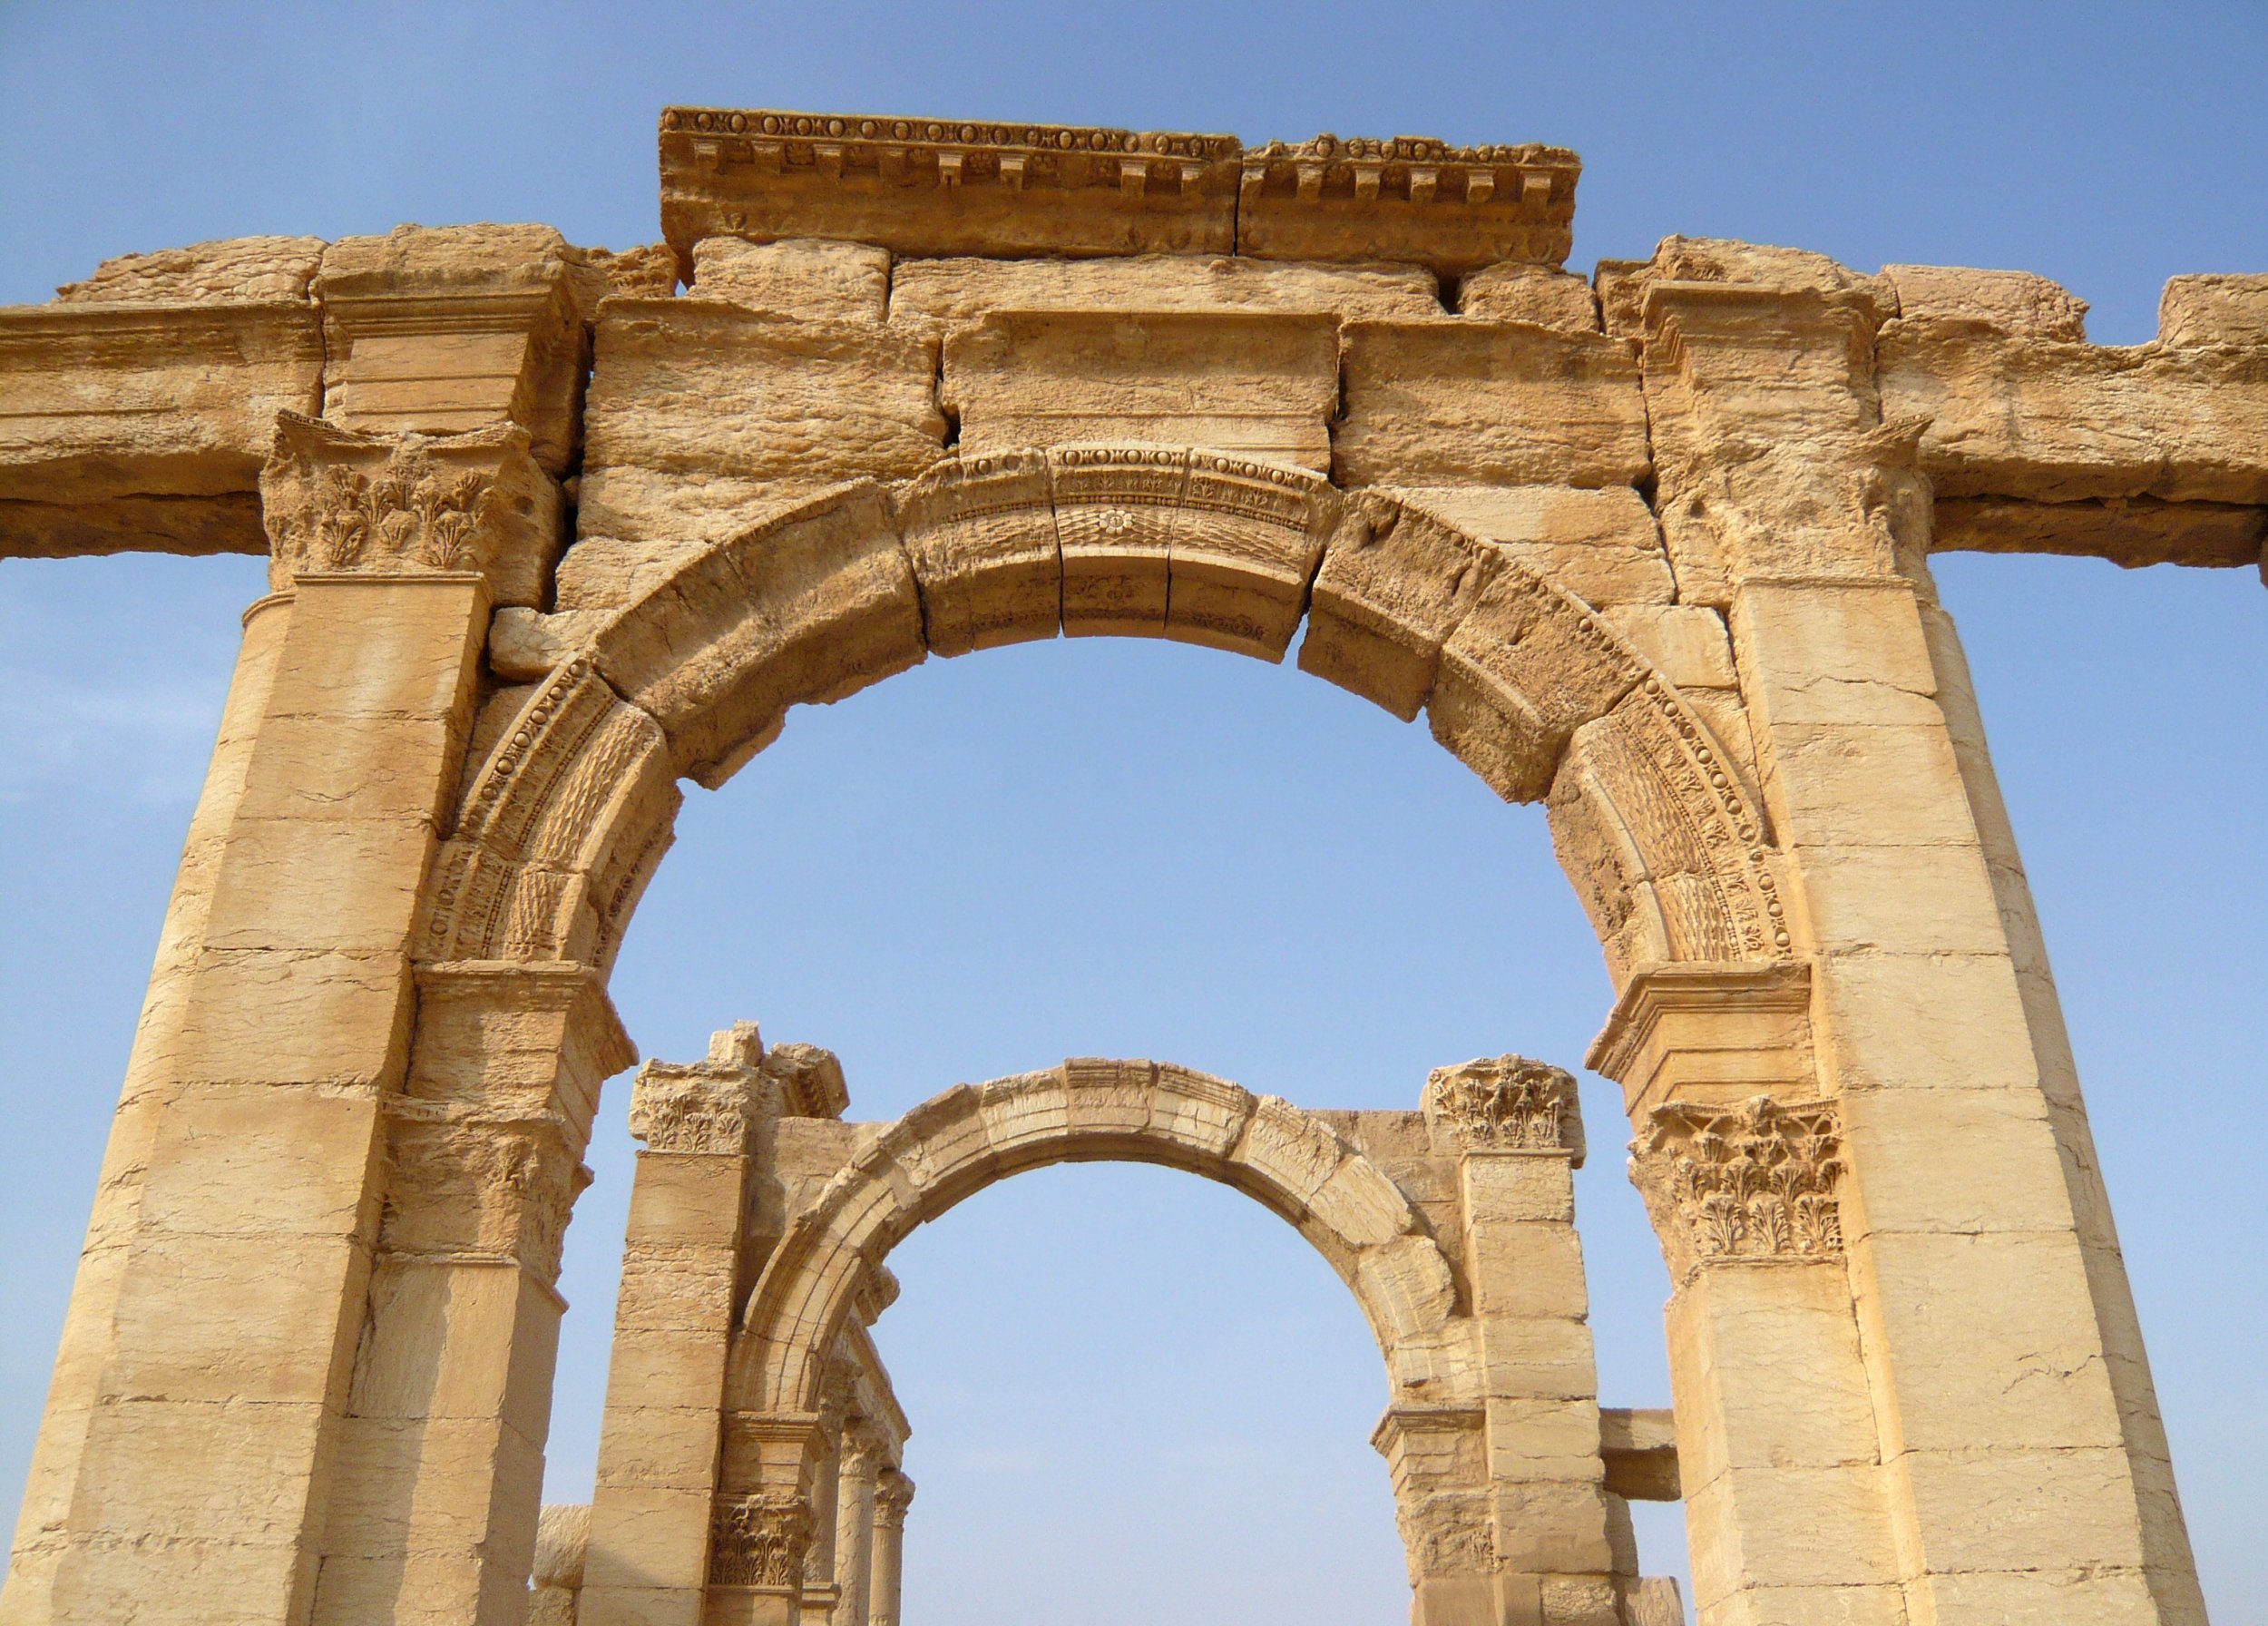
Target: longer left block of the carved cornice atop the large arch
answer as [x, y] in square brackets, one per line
[924, 187]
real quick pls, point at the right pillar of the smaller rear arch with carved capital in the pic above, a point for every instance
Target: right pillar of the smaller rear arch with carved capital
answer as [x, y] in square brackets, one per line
[1516, 1133]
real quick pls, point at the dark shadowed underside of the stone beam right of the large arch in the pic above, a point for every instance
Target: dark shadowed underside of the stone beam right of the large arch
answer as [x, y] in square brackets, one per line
[2129, 532]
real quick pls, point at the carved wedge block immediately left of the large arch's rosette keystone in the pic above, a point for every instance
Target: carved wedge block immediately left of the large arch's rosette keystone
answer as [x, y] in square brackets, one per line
[981, 536]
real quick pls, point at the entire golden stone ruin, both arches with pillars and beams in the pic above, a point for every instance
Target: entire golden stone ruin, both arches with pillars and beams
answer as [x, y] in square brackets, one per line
[557, 530]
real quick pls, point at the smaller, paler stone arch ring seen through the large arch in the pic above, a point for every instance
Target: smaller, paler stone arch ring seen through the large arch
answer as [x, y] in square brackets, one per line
[1085, 1112]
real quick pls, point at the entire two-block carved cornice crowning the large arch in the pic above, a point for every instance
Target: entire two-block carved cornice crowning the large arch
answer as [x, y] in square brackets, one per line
[929, 187]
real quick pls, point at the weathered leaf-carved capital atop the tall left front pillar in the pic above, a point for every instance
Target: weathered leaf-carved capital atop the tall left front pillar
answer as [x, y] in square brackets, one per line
[339, 500]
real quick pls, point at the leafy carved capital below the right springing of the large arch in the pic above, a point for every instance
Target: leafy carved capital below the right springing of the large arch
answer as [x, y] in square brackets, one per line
[1738, 1185]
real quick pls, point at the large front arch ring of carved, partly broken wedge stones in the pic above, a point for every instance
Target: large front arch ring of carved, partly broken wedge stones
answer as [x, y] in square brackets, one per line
[573, 808]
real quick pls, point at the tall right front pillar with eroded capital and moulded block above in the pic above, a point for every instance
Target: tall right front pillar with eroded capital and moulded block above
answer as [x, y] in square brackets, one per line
[2013, 1409]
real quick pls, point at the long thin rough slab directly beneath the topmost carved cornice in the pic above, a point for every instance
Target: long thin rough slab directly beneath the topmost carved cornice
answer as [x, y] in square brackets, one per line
[942, 294]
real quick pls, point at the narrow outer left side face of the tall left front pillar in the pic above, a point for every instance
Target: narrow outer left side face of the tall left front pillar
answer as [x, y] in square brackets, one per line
[49, 1559]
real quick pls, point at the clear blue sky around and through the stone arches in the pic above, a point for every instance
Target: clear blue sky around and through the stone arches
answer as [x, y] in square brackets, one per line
[1137, 1396]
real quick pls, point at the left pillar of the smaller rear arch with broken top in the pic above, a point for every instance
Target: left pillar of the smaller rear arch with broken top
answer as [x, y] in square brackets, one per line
[682, 1271]
